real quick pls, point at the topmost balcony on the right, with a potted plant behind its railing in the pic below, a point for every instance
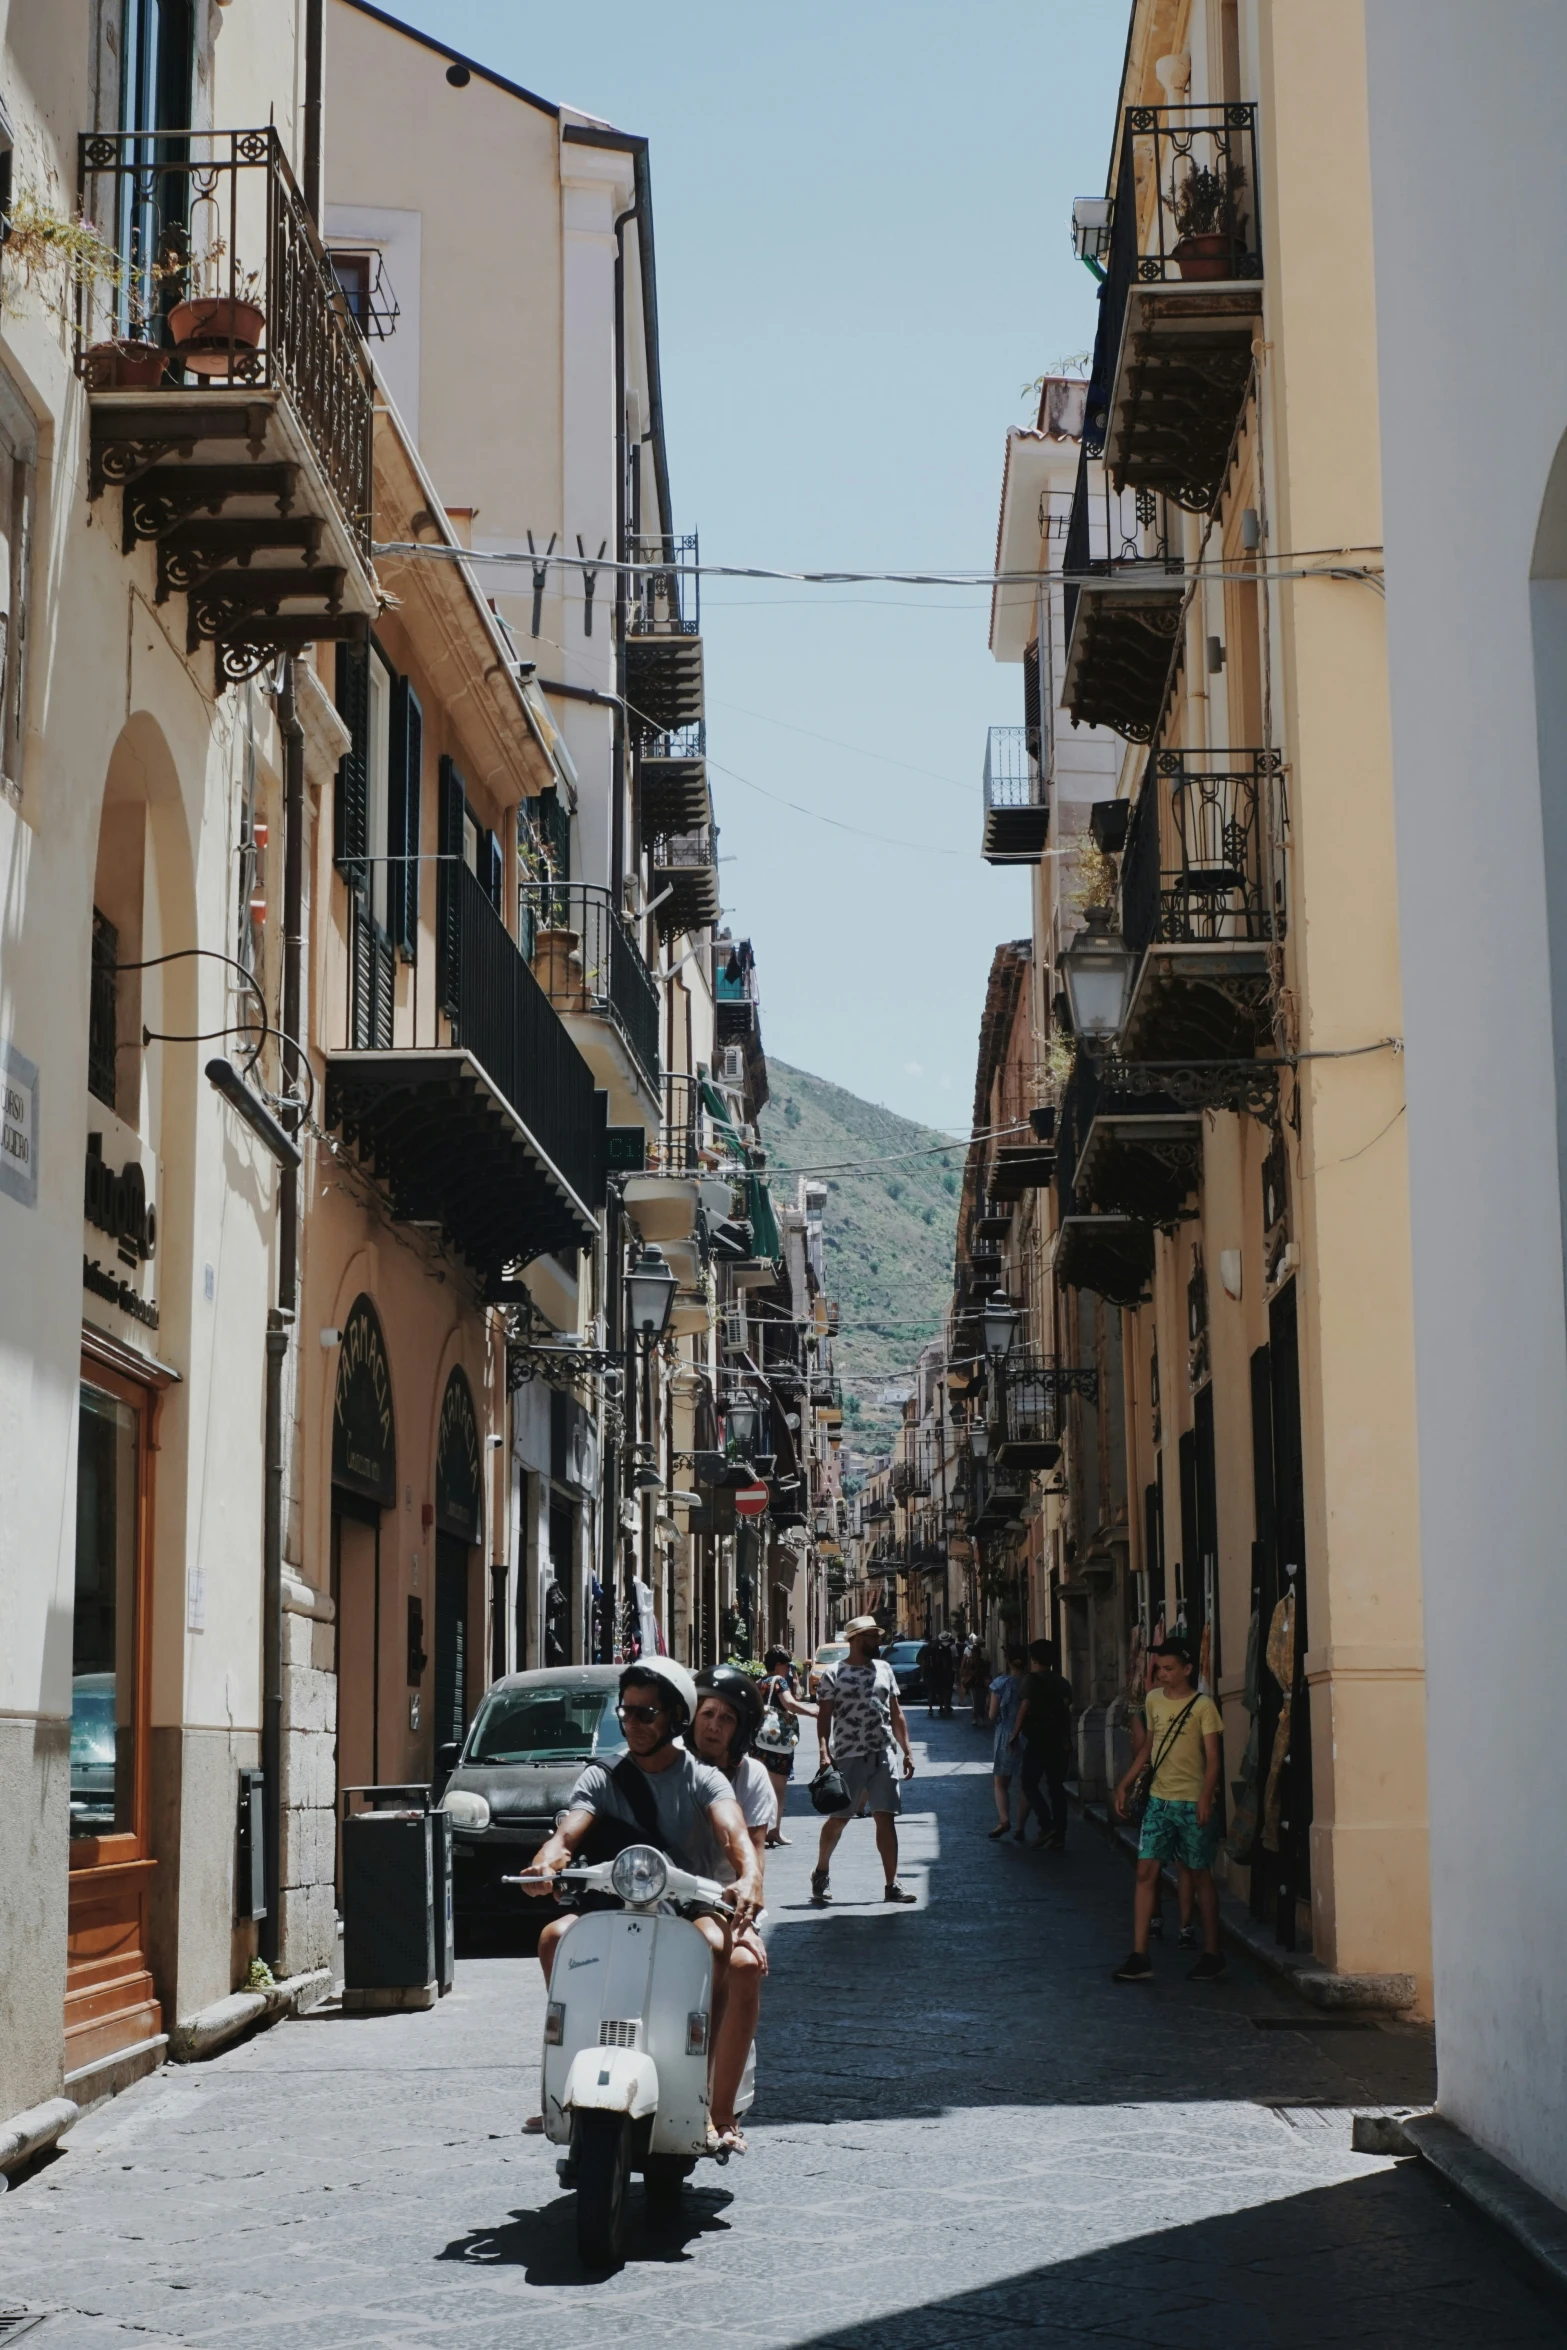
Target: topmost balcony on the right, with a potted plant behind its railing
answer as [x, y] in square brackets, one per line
[1181, 302]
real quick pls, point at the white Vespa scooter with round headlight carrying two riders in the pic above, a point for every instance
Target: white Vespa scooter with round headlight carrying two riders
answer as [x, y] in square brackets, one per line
[626, 2041]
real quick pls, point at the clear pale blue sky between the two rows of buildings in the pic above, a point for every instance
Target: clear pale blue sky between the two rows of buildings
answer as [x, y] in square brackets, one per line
[863, 231]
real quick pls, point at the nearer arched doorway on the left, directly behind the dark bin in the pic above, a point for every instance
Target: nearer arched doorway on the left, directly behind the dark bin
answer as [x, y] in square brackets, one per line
[363, 1486]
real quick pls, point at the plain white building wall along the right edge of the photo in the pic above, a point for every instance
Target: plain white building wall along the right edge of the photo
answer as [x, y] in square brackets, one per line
[1474, 408]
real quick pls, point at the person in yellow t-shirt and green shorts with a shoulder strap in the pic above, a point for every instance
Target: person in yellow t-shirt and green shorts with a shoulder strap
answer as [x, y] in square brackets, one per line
[1181, 1738]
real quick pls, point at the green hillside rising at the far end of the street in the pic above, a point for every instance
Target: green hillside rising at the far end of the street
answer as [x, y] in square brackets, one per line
[889, 1230]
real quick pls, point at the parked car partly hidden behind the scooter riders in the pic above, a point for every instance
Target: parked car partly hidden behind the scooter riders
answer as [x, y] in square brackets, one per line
[525, 1752]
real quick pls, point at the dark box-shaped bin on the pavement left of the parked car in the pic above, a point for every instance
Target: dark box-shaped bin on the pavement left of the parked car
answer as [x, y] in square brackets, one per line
[389, 1898]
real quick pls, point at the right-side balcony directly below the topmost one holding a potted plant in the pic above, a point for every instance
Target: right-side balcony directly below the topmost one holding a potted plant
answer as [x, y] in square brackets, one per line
[1122, 603]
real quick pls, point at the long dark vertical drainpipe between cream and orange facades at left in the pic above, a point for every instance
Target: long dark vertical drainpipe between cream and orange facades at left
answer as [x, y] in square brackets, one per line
[281, 1320]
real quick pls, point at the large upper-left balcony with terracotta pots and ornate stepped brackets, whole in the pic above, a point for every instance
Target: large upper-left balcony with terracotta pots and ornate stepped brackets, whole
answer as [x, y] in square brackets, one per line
[229, 391]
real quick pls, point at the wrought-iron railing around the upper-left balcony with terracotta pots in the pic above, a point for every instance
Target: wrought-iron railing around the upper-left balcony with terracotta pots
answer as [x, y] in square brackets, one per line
[220, 283]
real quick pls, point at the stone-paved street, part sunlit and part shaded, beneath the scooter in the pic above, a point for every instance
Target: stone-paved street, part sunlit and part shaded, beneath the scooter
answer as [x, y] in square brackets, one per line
[964, 2135]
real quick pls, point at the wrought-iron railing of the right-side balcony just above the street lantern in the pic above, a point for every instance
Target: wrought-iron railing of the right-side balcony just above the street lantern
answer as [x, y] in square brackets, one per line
[1204, 850]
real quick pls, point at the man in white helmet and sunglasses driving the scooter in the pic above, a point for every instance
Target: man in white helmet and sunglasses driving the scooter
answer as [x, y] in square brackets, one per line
[661, 1794]
